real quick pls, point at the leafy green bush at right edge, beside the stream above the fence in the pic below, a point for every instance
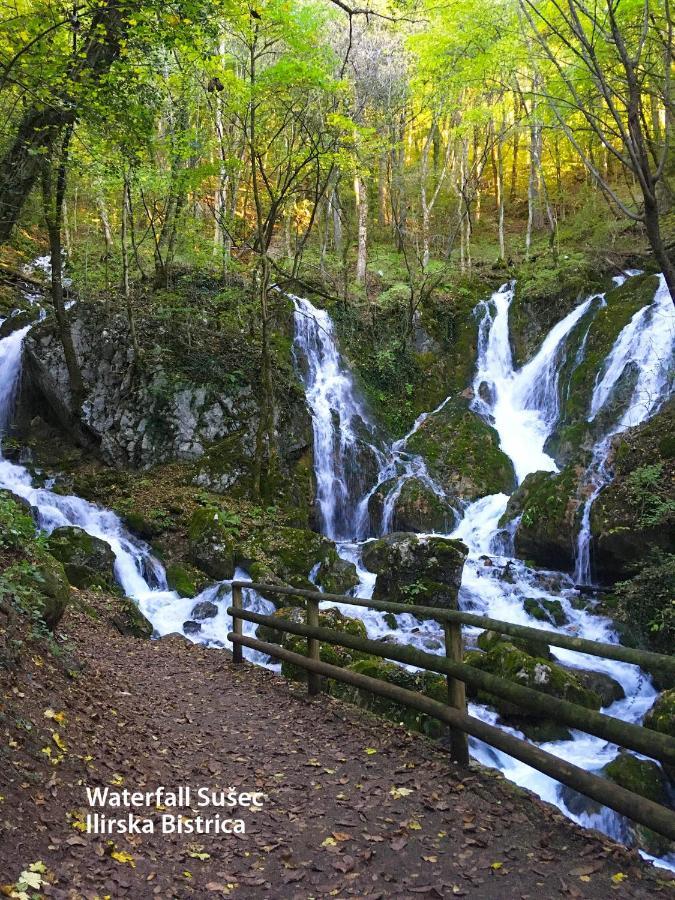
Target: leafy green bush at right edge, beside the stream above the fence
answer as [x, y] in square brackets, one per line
[646, 601]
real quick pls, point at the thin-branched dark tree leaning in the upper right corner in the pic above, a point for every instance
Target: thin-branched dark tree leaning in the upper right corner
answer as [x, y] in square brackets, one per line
[610, 63]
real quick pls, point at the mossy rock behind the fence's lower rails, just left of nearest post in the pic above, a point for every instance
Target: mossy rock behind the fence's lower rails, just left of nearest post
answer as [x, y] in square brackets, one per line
[428, 683]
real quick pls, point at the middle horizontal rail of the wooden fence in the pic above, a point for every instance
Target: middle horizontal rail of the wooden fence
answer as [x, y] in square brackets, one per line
[635, 737]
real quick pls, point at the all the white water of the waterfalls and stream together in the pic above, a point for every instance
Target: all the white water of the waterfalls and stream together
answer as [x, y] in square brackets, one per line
[523, 406]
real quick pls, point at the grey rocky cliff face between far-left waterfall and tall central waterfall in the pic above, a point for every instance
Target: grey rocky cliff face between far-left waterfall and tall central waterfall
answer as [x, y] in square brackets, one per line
[142, 416]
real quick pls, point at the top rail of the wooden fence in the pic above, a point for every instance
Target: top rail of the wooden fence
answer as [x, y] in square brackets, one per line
[651, 662]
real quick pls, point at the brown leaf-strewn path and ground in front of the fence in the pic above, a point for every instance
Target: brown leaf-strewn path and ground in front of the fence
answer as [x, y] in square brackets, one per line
[355, 806]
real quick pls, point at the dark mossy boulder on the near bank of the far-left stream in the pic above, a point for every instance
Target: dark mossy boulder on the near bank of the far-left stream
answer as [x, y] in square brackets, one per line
[88, 561]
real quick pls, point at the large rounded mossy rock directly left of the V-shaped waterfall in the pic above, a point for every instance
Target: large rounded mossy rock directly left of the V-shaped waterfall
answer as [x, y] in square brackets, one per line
[462, 452]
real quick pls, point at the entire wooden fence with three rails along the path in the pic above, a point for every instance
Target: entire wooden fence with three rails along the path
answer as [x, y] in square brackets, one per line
[459, 674]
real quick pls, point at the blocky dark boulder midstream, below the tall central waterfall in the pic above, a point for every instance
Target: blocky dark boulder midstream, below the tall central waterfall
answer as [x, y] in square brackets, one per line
[423, 571]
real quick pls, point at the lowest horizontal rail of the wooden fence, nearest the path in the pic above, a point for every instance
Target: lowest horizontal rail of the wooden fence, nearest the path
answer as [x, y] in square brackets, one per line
[635, 807]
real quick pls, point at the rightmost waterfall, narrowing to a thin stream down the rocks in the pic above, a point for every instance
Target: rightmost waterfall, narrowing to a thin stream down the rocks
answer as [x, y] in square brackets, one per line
[647, 346]
